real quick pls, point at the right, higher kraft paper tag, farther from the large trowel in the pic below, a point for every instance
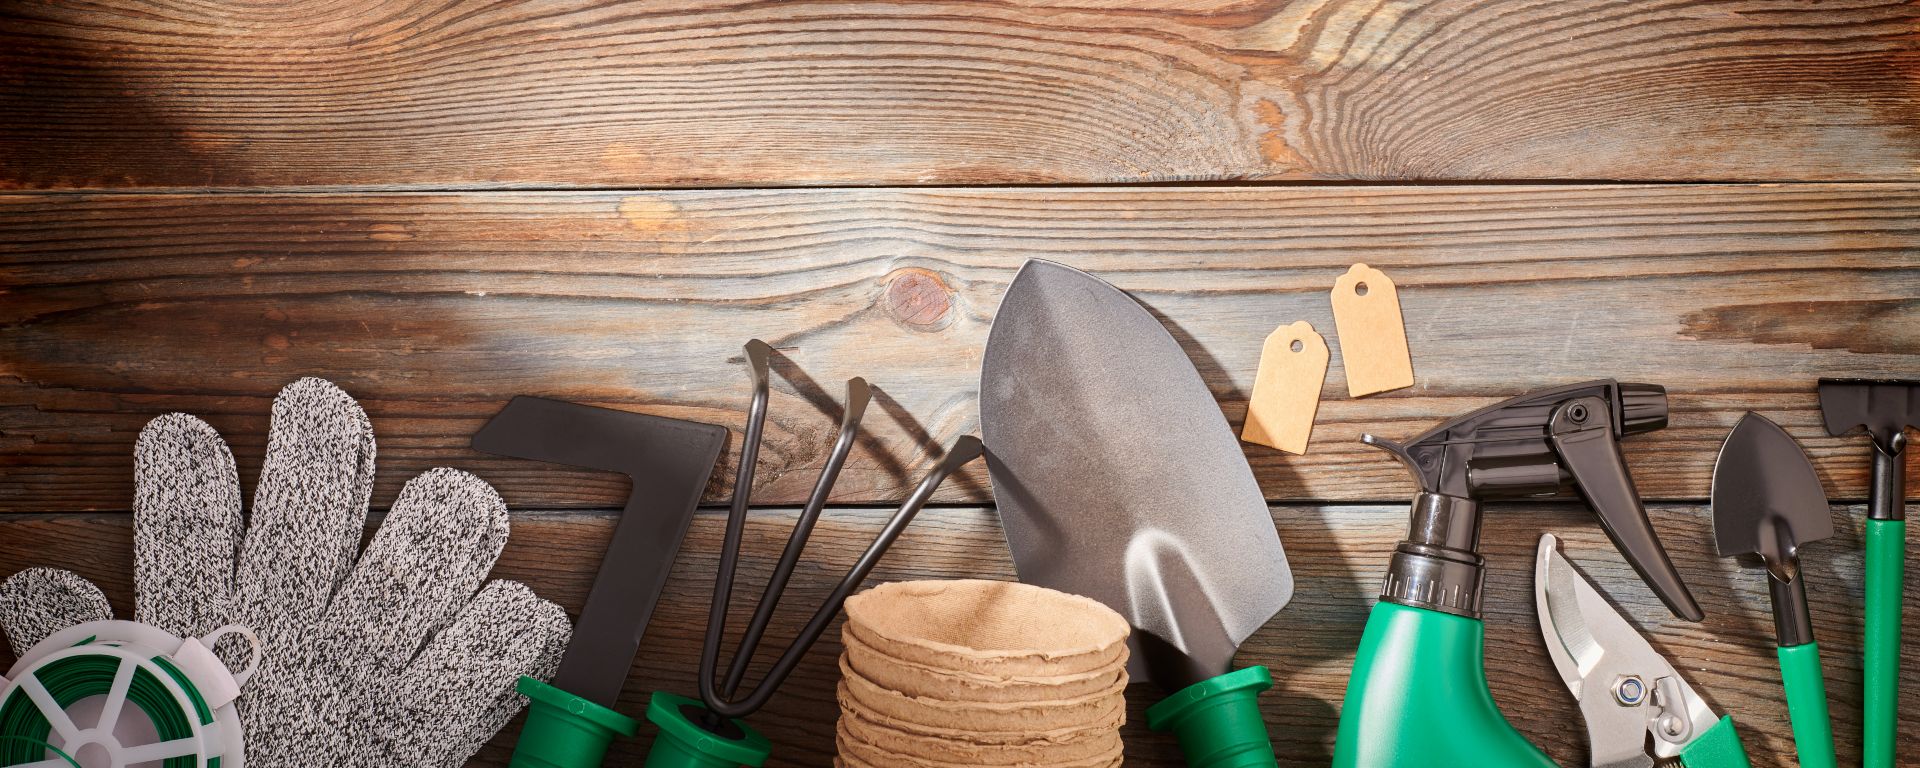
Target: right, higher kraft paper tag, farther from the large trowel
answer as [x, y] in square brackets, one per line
[1374, 339]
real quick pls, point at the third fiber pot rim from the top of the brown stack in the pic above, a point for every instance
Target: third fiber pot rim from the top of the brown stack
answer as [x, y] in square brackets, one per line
[990, 715]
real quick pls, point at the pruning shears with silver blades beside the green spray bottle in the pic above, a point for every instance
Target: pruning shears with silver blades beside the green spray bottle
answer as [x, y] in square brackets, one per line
[1637, 708]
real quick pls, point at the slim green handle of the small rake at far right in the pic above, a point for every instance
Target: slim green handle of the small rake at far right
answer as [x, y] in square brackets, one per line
[1886, 573]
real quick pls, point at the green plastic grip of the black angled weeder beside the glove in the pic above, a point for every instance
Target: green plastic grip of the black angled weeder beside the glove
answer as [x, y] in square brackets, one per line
[565, 731]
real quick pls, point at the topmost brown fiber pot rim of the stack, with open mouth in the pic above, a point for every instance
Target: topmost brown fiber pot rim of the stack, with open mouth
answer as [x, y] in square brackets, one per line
[988, 627]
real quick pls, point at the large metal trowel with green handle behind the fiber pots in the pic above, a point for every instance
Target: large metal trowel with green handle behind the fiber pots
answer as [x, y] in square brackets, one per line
[1118, 479]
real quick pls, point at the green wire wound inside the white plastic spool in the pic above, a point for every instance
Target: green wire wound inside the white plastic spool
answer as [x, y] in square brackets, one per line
[70, 681]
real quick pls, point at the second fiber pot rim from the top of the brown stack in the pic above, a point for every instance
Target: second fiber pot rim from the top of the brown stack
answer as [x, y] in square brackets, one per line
[923, 681]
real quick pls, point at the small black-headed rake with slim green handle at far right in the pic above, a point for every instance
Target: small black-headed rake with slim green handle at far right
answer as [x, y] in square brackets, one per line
[1886, 410]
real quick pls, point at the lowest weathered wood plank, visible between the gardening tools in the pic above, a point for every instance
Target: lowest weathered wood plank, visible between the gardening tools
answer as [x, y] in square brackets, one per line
[1335, 552]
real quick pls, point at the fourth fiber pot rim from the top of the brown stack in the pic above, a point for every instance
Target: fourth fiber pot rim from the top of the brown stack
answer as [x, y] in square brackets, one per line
[961, 750]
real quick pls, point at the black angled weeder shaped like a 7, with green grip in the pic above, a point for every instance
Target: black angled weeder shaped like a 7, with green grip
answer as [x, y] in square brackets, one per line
[571, 721]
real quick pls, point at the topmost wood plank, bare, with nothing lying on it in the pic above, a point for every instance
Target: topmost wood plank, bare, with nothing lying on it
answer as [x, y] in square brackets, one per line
[721, 93]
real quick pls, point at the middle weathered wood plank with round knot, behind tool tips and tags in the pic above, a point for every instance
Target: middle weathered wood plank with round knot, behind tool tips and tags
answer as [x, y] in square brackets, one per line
[437, 308]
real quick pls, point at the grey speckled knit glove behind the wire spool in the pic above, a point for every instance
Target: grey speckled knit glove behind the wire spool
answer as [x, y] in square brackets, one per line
[396, 658]
